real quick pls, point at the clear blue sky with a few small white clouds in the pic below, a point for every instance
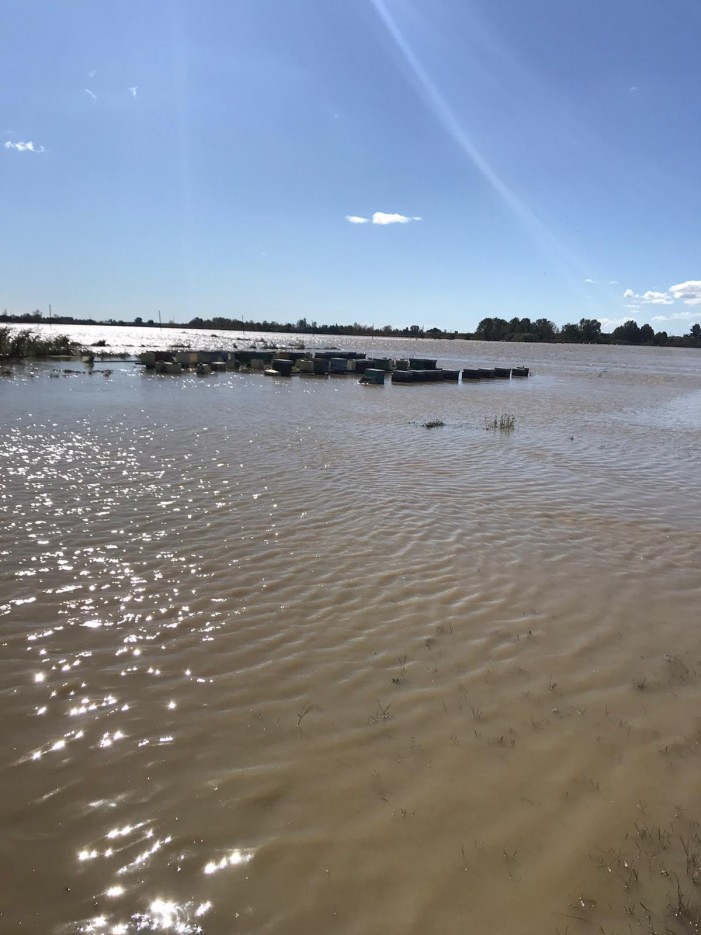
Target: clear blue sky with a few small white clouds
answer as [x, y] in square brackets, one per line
[428, 162]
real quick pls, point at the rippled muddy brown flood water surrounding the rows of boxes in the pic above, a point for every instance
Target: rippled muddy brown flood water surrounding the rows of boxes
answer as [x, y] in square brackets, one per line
[276, 658]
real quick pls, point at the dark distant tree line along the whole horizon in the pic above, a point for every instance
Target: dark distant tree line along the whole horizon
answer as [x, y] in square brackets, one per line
[587, 331]
